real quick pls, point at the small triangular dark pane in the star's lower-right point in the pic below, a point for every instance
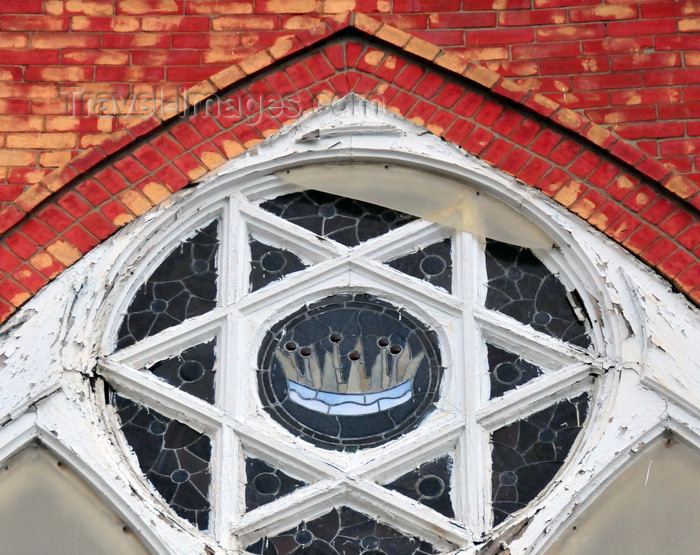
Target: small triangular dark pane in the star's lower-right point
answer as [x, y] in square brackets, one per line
[428, 484]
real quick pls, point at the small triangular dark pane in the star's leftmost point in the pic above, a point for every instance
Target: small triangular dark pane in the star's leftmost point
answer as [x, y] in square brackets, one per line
[192, 371]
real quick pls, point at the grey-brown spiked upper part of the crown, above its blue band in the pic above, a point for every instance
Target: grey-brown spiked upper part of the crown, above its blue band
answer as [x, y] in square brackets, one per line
[323, 371]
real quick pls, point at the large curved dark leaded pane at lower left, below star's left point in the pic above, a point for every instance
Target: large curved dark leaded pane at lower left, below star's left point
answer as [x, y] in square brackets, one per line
[174, 457]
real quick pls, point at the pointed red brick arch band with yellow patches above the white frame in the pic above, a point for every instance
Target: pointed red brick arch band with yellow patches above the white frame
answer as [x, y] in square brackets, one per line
[598, 175]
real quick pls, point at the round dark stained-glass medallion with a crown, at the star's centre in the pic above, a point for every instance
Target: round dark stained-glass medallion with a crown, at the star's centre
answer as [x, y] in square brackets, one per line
[349, 371]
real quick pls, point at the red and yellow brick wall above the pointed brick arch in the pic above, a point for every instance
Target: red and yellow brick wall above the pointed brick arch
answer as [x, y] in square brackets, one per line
[632, 67]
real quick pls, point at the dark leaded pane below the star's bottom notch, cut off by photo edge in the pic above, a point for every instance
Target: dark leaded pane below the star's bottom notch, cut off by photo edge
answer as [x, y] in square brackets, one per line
[342, 531]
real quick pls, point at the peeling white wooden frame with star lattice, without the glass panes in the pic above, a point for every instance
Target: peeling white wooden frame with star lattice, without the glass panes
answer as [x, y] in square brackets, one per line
[72, 419]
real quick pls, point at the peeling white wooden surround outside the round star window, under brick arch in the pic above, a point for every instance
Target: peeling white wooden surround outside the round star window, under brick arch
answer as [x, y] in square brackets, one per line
[649, 340]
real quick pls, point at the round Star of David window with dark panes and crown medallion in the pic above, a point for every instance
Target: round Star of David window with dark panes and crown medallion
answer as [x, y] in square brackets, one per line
[299, 372]
